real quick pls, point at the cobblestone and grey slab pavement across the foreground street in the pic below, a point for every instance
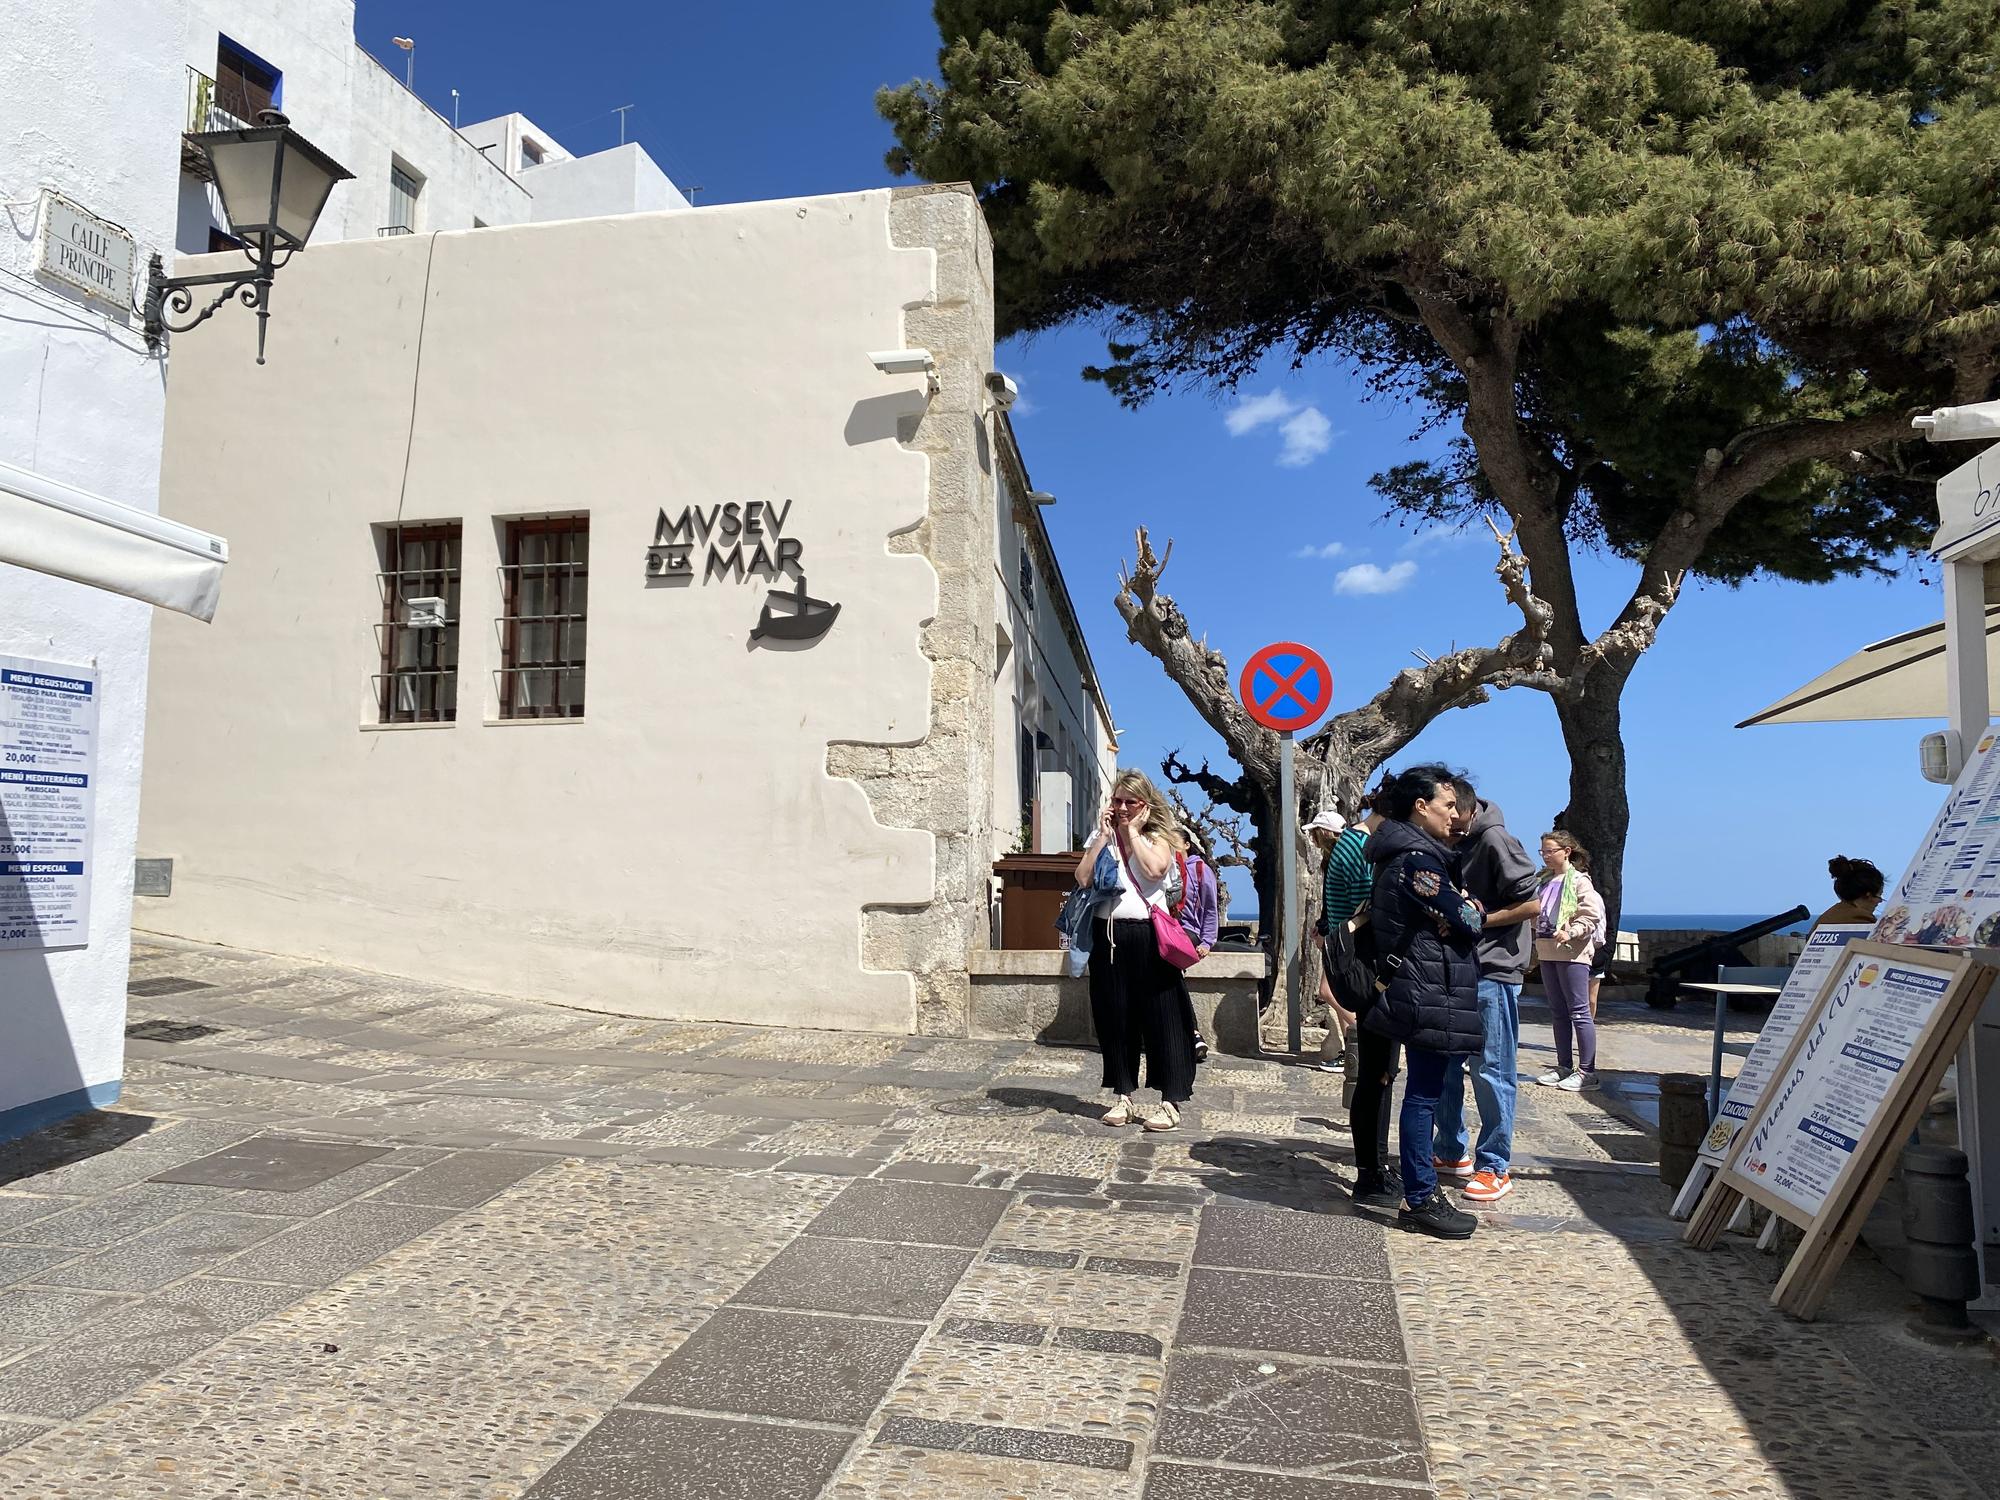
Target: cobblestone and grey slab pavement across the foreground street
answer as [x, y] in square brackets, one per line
[355, 1237]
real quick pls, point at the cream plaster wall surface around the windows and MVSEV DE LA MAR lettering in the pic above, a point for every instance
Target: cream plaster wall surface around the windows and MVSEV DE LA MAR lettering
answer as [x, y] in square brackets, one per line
[681, 851]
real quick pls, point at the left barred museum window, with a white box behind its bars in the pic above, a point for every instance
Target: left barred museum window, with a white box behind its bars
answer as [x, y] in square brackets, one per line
[419, 581]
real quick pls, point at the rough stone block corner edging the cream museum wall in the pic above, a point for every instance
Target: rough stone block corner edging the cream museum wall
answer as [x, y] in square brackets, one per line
[945, 781]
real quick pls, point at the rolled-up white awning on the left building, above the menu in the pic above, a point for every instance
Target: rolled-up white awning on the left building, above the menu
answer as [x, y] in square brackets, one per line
[71, 533]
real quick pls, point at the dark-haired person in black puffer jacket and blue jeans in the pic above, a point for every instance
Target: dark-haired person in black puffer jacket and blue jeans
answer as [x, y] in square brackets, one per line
[1427, 941]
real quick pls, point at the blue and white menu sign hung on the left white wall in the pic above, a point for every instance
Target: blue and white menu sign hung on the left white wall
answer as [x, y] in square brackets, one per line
[49, 765]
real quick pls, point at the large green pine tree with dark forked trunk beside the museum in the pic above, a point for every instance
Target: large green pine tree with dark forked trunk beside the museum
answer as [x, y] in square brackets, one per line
[1677, 269]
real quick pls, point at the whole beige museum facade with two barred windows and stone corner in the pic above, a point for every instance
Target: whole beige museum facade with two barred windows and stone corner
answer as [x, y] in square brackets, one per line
[607, 623]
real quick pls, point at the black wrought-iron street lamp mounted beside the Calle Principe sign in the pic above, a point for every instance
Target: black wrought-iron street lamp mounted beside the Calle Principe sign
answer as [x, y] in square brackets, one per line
[273, 187]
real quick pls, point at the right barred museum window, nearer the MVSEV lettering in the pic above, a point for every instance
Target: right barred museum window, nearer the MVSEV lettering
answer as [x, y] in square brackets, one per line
[545, 585]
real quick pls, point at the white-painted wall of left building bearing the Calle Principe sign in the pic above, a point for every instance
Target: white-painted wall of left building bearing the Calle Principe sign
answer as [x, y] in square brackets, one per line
[83, 403]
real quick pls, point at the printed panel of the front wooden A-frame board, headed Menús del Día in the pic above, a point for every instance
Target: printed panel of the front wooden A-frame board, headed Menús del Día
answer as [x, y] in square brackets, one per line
[1867, 1031]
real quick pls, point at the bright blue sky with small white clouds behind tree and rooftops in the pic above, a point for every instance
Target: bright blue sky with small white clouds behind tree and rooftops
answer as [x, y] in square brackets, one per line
[777, 99]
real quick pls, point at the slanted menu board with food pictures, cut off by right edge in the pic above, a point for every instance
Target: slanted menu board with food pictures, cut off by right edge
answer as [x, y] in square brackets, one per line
[1951, 893]
